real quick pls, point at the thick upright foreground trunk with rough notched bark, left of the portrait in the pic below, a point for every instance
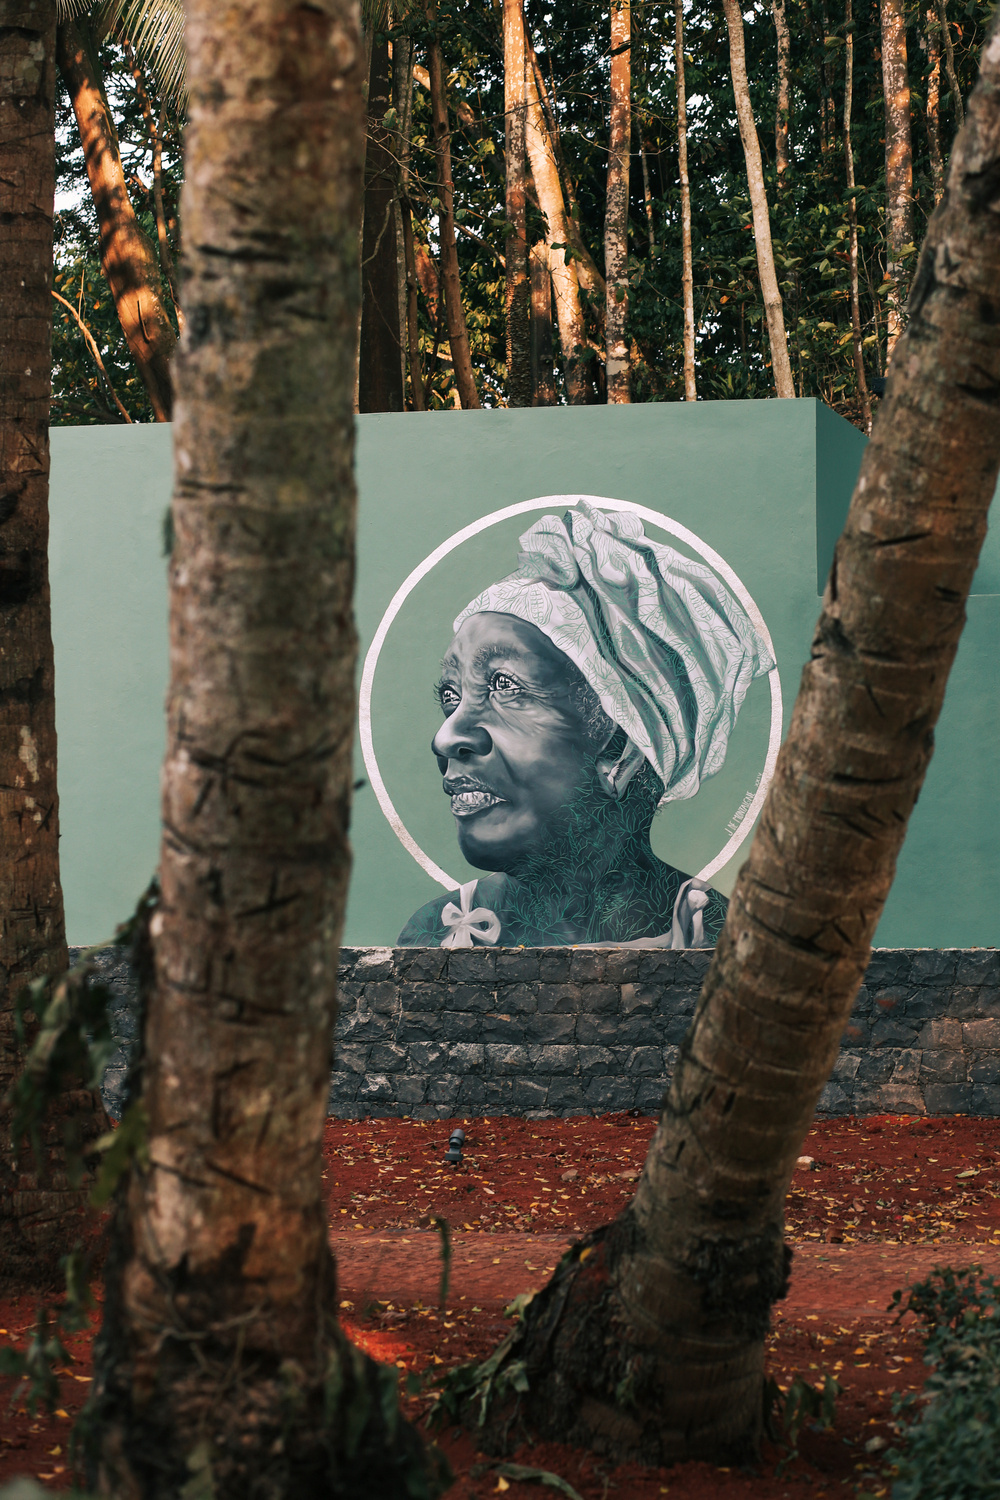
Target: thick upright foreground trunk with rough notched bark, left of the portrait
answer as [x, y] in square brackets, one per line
[221, 1369]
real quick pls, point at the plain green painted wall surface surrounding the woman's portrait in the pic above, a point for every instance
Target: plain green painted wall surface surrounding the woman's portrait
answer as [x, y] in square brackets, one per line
[764, 484]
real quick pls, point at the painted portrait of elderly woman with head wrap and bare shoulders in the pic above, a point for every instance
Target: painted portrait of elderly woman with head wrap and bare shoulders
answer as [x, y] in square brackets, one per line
[591, 686]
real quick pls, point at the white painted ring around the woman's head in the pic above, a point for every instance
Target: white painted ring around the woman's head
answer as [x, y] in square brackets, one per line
[484, 524]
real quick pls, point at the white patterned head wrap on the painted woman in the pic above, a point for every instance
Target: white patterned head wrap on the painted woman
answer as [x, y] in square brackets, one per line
[660, 640]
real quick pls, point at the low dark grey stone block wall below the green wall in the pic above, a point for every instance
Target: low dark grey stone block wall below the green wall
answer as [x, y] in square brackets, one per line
[558, 1031]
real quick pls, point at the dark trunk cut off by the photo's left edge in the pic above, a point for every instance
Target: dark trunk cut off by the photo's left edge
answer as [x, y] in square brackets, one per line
[41, 1214]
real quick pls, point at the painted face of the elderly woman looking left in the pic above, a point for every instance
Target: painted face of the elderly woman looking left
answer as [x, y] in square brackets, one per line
[513, 749]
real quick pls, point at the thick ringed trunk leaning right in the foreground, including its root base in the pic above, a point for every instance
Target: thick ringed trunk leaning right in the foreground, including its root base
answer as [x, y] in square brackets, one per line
[648, 1343]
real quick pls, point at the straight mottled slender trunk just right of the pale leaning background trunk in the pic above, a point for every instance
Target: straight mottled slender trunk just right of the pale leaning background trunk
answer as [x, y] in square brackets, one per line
[617, 209]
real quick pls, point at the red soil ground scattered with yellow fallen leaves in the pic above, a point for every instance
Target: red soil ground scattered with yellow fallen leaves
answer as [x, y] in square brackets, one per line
[882, 1202]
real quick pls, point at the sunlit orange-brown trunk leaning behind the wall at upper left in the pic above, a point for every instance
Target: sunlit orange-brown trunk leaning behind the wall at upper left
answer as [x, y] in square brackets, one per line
[128, 260]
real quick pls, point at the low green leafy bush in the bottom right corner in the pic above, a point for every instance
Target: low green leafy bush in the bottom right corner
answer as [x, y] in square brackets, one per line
[951, 1432]
